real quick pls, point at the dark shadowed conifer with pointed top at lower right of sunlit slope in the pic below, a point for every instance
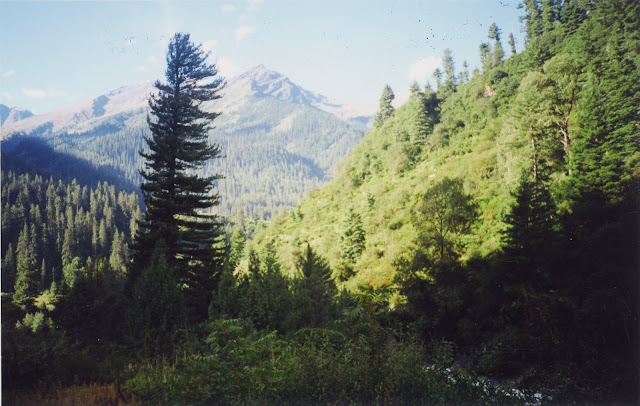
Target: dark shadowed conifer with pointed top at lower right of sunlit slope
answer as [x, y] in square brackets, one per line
[531, 247]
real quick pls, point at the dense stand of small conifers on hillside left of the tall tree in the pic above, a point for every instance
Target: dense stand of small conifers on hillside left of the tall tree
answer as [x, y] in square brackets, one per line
[55, 226]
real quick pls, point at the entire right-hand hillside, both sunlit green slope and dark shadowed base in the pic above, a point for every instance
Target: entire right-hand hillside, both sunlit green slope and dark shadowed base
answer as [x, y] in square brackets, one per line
[502, 212]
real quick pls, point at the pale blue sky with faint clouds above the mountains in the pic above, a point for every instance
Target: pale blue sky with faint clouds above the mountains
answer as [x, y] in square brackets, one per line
[54, 54]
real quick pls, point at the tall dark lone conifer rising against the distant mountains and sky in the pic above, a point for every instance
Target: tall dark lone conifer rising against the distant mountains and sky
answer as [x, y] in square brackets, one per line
[175, 196]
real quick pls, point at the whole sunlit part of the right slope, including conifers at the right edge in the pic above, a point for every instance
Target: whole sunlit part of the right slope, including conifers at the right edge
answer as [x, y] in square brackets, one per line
[484, 138]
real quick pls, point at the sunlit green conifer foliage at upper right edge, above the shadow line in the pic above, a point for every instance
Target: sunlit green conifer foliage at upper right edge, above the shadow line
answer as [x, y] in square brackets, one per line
[607, 139]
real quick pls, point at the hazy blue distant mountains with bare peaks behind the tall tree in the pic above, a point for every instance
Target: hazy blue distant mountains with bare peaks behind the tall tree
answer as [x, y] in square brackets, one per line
[279, 139]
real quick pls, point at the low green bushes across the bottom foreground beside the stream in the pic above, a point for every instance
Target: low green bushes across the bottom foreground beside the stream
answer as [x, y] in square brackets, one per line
[313, 366]
